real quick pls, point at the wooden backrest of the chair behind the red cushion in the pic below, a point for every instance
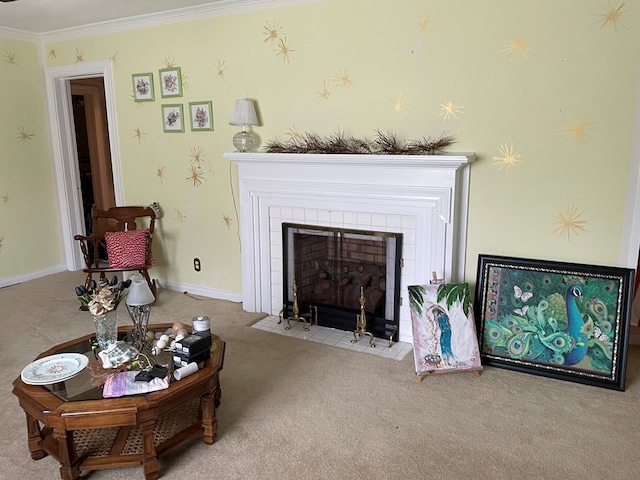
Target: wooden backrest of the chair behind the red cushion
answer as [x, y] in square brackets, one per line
[119, 219]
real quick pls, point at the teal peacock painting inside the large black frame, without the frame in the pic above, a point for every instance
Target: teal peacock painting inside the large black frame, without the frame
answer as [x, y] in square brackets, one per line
[550, 318]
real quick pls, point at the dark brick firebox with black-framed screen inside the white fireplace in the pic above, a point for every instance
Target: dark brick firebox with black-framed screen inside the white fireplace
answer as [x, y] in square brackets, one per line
[333, 267]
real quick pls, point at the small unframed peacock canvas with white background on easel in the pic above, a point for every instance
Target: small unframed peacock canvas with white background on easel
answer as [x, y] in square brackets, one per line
[444, 333]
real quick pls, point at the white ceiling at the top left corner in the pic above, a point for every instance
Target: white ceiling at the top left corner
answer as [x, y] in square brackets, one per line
[43, 16]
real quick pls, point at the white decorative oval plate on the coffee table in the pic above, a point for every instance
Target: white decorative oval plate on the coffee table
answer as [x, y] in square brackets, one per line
[54, 368]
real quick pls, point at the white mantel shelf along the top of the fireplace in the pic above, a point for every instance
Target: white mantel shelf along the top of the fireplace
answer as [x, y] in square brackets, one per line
[445, 160]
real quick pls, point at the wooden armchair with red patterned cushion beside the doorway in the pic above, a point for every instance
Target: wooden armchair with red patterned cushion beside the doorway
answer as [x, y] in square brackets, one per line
[120, 242]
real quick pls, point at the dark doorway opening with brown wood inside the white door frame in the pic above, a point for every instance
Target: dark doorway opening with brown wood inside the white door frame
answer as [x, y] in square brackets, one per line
[92, 146]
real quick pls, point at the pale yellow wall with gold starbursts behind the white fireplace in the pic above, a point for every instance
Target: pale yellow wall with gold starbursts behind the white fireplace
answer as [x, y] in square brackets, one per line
[548, 84]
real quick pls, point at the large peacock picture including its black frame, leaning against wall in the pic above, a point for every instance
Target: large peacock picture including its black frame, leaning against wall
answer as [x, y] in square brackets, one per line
[561, 320]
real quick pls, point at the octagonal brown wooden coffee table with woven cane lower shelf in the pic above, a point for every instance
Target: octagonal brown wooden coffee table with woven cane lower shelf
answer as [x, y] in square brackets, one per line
[72, 422]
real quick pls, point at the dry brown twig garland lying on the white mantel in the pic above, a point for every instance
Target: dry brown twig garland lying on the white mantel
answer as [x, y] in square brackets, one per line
[383, 144]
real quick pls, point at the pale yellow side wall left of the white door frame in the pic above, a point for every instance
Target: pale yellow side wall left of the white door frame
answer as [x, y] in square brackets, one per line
[29, 227]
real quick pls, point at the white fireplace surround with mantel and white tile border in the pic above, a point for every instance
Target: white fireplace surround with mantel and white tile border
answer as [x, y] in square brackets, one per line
[424, 197]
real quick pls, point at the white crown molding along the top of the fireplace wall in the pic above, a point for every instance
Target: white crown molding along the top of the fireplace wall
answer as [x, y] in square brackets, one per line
[187, 14]
